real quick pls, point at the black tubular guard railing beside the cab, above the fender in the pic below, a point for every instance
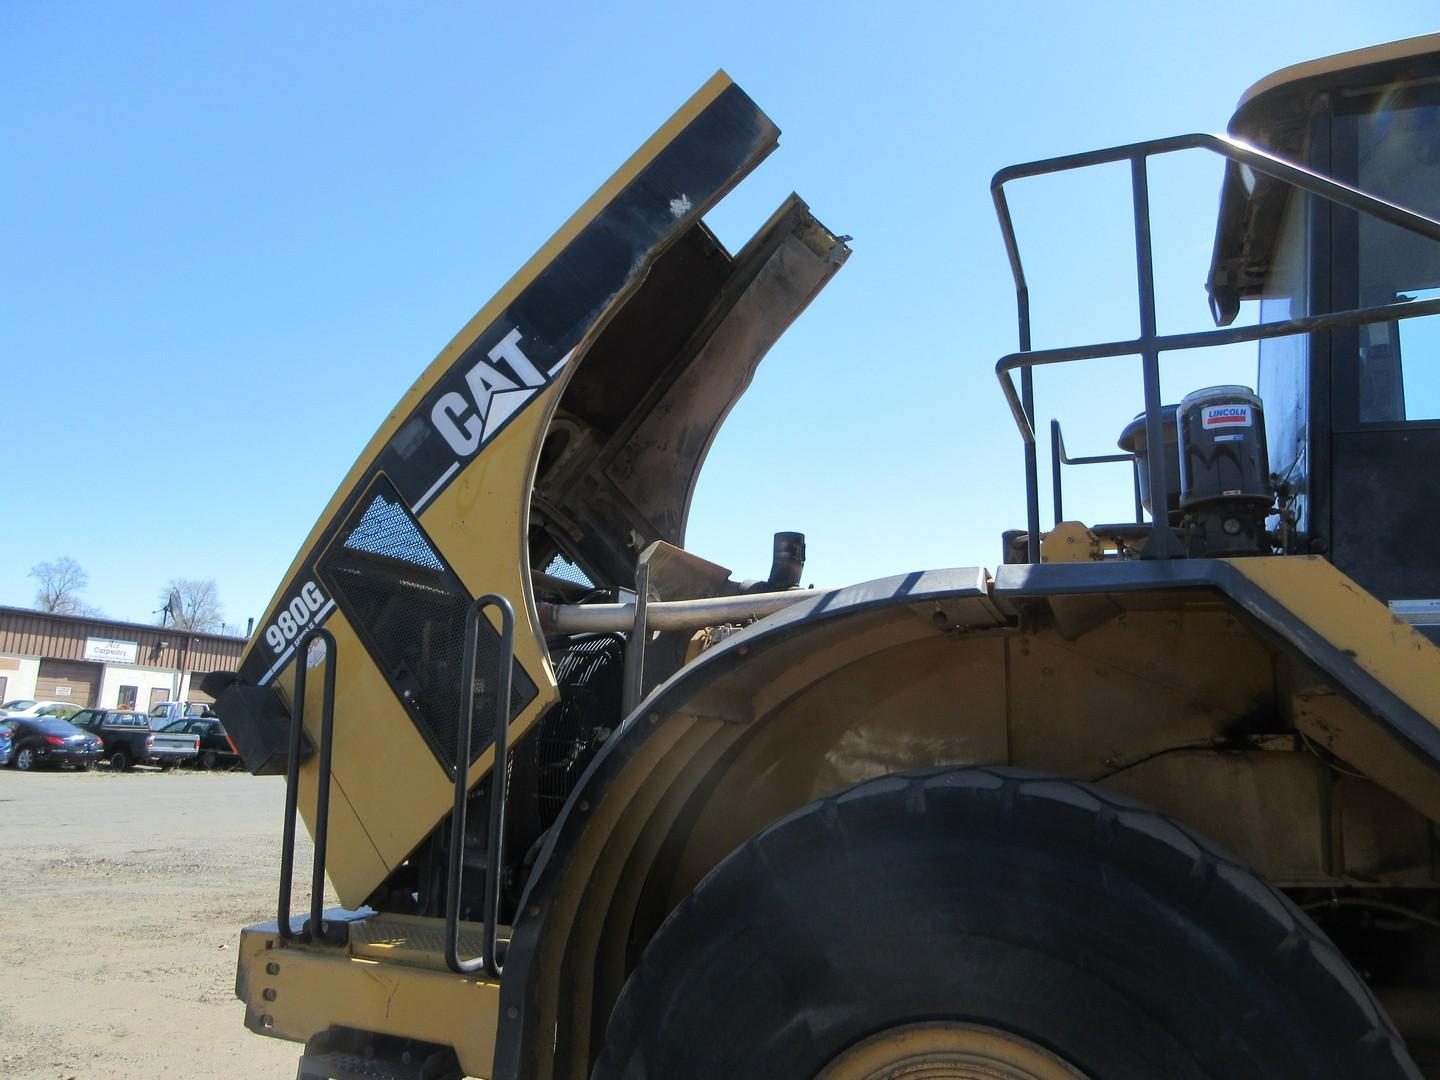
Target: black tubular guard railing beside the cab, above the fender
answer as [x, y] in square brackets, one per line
[1150, 343]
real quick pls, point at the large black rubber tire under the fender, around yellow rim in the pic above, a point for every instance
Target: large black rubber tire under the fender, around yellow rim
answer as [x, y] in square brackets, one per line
[1063, 914]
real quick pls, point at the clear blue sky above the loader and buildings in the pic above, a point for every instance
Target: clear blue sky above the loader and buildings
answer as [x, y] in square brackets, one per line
[233, 237]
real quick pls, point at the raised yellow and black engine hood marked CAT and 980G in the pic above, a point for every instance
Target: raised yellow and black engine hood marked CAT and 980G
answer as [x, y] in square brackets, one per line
[564, 428]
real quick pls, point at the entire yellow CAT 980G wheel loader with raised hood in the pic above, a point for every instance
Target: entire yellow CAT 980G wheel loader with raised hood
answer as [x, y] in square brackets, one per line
[1154, 798]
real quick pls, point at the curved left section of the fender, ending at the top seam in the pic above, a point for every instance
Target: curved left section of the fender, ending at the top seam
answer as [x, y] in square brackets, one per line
[660, 768]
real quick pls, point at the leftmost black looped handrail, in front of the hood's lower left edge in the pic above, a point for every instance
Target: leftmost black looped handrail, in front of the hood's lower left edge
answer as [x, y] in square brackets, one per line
[316, 927]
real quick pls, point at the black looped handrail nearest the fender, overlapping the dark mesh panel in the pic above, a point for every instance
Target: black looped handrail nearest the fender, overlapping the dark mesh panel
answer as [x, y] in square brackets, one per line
[496, 836]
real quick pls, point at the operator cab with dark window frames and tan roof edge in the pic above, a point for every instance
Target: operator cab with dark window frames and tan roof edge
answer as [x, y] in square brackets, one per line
[1353, 414]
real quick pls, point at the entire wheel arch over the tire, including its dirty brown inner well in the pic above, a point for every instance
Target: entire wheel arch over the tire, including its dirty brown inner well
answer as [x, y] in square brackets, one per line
[695, 771]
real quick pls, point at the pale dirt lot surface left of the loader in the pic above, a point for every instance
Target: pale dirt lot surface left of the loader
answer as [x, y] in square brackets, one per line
[122, 899]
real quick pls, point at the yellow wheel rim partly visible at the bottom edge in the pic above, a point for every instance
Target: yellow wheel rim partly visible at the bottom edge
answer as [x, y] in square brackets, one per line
[941, 1050]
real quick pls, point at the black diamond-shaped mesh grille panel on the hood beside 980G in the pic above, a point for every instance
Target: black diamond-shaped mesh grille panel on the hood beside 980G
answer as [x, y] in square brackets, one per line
[410, 610]
